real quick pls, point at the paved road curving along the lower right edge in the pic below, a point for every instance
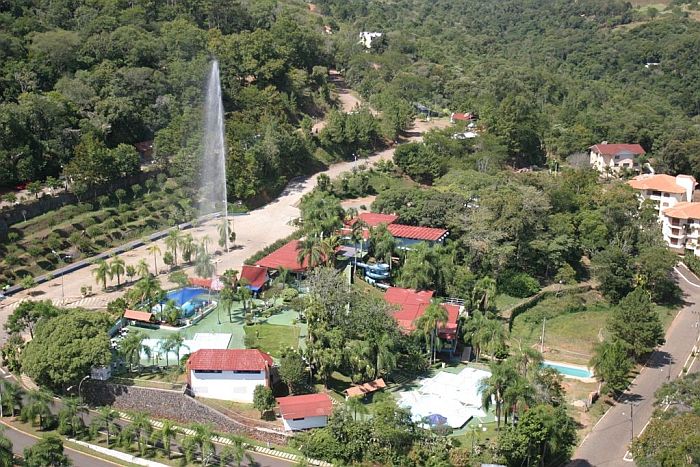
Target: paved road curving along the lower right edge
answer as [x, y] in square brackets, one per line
[607, 444]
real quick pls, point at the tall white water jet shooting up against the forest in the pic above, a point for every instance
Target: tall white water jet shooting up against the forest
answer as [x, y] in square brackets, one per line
[213, 171]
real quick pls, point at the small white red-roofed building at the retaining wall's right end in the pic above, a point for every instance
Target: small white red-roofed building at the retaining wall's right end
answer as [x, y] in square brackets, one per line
[304, 412]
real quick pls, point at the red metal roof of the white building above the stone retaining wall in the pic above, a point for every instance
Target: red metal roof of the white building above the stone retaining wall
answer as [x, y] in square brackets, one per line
[229, 360]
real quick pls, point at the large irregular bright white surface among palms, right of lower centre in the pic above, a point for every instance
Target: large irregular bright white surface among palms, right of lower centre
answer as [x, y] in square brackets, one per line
[454, 396]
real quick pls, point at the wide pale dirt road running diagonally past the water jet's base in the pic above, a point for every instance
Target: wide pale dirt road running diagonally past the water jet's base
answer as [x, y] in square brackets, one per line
[254, 231]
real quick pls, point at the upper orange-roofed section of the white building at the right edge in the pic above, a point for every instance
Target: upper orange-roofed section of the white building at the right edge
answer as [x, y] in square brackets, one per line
[664, 190]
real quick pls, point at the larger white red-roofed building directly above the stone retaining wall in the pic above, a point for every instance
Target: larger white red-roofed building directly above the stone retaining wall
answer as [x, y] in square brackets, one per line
[228, 374]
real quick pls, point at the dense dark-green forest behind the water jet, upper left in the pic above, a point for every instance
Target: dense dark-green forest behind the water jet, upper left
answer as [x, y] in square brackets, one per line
[82, 82]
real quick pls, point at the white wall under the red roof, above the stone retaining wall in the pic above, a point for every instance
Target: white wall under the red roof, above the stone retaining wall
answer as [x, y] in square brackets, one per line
[227, 385]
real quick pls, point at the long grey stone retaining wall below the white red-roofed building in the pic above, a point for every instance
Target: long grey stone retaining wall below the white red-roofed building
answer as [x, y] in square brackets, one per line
[172, 405]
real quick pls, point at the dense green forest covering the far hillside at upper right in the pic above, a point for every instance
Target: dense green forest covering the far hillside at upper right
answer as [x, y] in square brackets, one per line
[547, 78]
